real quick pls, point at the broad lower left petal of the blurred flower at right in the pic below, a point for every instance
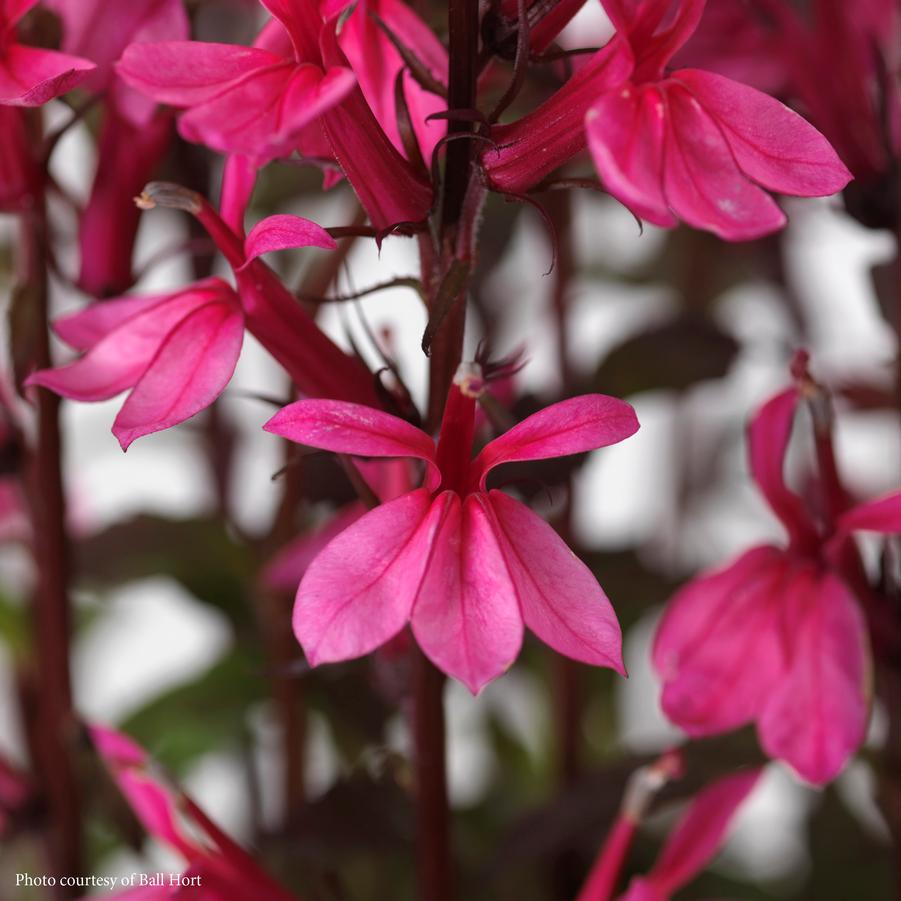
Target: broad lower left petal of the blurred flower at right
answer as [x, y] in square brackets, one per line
[719, 648]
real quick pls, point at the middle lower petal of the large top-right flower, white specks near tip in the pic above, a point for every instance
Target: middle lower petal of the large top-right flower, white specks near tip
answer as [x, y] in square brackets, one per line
[702, 183]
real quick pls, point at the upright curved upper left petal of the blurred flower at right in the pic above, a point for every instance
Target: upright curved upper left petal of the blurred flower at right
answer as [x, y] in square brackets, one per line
[768, 437]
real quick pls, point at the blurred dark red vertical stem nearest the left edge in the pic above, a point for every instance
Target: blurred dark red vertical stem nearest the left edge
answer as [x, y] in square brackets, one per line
[55, 722]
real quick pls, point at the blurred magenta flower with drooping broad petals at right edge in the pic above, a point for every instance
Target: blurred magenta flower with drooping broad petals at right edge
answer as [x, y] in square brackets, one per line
[778, 637]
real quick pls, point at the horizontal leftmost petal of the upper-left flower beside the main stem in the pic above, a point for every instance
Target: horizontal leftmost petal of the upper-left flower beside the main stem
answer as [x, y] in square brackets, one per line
[184, 73]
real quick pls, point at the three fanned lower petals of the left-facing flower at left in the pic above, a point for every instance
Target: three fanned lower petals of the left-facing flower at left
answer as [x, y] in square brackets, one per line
[174, 352]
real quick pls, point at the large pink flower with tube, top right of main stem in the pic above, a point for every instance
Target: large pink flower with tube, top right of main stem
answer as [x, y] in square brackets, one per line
[688, 145]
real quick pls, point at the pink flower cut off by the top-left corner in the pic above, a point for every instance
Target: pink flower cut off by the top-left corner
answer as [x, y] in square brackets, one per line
[30, 76]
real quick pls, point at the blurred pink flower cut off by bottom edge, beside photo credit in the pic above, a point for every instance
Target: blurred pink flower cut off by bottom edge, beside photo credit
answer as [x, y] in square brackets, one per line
[226, 871]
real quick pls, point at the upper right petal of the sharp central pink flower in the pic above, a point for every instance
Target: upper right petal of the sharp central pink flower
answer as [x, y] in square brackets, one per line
[570, 427]
